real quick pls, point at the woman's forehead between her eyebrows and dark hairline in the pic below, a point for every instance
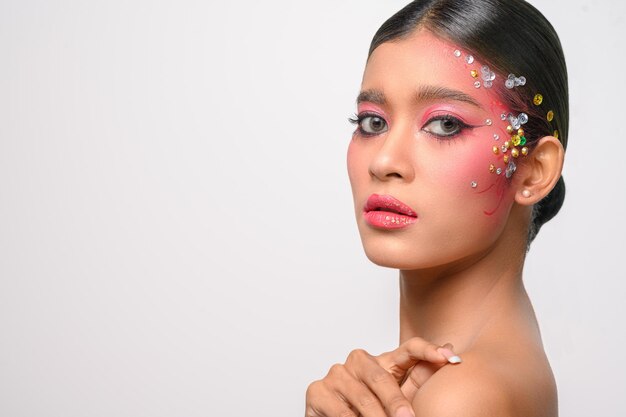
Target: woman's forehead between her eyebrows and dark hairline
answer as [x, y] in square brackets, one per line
[401, 67]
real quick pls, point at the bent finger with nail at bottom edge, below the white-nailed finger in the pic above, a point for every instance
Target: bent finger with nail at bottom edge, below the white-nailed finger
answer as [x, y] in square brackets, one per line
[378, 380]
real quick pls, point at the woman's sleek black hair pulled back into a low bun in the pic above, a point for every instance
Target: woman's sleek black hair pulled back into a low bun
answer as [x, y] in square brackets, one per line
[510, 36]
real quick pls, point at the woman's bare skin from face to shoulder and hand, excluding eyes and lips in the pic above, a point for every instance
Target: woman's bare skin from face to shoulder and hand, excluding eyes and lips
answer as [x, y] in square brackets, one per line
[460, 265]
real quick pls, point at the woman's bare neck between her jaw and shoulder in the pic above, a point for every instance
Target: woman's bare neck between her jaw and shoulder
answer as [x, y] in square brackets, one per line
[457, 305]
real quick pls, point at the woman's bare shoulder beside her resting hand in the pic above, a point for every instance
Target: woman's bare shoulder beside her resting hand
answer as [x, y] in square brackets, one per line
[486, 385]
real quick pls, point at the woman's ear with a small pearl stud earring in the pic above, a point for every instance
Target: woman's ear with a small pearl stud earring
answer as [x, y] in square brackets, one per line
[541, 171]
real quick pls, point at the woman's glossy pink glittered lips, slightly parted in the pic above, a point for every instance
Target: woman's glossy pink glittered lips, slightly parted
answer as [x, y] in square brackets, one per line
[387, 212]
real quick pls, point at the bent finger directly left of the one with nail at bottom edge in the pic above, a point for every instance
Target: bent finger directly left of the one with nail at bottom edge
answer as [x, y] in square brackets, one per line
[356, 394]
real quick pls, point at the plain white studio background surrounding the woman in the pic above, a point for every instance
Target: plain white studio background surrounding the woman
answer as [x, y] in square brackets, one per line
[176, 224]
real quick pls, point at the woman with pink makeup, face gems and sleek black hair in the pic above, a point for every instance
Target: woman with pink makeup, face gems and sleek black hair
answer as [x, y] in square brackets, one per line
[455, 164]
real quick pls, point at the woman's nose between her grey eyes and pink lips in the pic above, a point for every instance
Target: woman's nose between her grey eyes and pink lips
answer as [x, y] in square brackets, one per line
[393, 159]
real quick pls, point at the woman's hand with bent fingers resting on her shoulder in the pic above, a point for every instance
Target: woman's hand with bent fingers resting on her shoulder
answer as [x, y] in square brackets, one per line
[370, 386]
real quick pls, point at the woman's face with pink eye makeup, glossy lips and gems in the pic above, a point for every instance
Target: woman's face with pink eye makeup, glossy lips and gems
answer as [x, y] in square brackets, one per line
[425, 136]
